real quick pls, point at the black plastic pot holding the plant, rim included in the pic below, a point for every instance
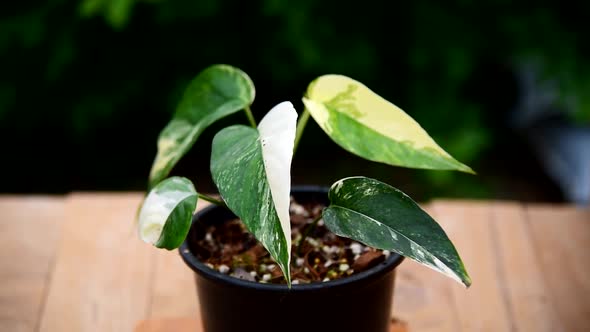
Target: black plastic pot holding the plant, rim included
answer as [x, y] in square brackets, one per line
[361, 302]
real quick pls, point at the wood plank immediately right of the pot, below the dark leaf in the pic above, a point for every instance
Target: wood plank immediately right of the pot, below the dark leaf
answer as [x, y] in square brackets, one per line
[423, 297]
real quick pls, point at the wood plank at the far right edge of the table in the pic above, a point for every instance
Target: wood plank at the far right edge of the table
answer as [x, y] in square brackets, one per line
[562, 241]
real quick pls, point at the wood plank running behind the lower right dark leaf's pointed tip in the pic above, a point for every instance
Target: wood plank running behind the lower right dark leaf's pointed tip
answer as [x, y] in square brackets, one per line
[483, 306]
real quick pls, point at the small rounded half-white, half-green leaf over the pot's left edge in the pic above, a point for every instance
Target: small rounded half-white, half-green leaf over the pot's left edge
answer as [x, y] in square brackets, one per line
[166, 213]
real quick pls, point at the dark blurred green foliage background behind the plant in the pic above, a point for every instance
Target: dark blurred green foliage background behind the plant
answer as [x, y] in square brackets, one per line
[86, 85]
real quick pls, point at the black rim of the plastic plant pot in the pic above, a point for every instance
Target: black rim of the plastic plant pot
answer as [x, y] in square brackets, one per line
[203, 270]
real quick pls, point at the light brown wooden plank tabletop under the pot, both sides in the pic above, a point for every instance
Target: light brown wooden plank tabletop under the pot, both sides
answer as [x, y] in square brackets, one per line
[75, 263]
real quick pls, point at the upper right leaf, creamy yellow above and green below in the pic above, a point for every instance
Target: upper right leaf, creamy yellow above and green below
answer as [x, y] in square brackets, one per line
[369, 126]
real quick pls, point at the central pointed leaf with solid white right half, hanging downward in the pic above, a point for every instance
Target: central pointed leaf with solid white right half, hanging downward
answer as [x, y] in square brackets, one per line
[251, 168]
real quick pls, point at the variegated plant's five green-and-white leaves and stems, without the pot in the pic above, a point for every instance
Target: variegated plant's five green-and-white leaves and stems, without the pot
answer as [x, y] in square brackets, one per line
[251, 167]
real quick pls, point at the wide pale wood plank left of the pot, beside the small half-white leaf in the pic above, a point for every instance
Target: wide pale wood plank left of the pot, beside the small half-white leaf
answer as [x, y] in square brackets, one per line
[103, 273]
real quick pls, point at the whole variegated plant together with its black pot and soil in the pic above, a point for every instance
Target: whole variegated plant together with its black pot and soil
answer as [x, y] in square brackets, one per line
[368, 220]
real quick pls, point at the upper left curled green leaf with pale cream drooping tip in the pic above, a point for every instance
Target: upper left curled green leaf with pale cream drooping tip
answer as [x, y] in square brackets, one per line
[216, 92]
